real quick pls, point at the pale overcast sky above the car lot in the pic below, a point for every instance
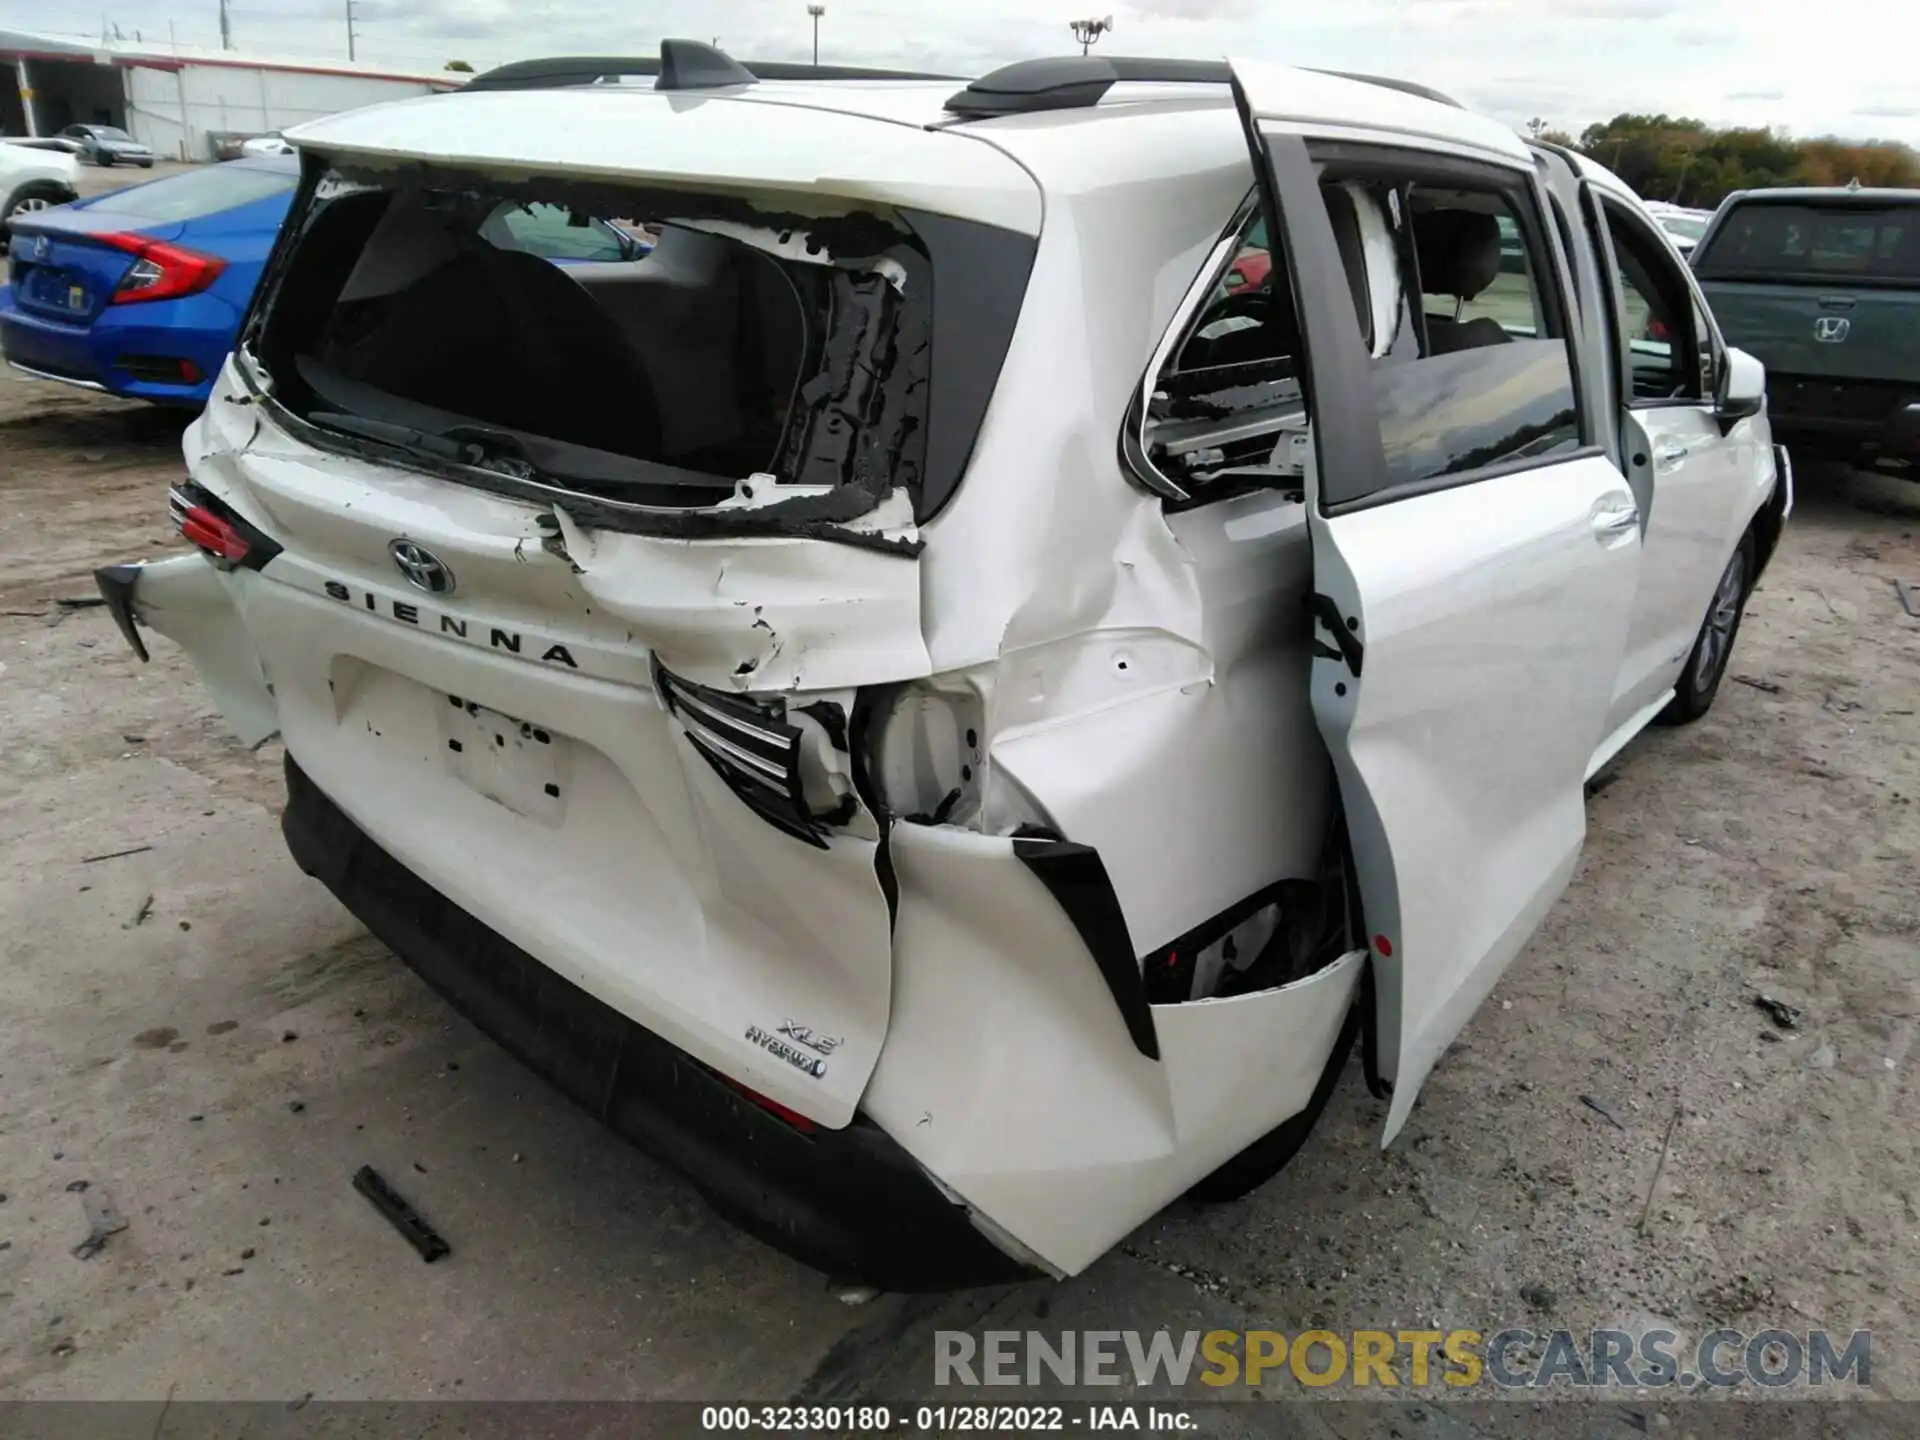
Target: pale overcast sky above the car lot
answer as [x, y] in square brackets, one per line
[1829, 68]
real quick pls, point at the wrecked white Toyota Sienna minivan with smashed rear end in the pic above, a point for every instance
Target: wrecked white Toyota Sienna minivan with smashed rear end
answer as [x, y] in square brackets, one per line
[932, 702]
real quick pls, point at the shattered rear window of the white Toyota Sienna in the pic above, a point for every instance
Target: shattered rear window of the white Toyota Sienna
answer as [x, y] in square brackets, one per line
[663, 350]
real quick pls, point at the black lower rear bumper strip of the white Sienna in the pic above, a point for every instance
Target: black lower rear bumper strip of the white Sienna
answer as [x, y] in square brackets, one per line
[850, 1203]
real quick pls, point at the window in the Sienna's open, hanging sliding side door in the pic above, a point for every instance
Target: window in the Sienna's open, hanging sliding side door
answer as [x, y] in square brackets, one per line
[1483, 375]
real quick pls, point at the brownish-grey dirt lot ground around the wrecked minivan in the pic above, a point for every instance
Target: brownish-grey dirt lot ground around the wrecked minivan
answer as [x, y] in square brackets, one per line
[208, 1042]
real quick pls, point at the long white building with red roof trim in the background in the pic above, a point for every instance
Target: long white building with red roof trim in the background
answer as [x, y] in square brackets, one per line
[183, 103]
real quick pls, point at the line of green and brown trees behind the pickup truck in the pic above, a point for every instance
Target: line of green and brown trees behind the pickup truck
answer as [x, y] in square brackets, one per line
[1689, 162]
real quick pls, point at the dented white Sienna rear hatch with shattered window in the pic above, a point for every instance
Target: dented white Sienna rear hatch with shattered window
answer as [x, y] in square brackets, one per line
[587, 569]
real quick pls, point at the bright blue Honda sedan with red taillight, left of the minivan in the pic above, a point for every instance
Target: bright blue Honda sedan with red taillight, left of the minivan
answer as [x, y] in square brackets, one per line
[141, 293]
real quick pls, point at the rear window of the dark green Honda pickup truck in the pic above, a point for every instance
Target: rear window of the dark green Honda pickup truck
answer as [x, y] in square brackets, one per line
[1764, 241]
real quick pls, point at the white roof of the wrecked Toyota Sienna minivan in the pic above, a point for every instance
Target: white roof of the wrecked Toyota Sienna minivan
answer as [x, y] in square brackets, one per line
[898, 141]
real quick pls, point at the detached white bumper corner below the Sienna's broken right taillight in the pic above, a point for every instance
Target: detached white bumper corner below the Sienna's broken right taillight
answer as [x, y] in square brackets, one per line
[1011, 1074]
